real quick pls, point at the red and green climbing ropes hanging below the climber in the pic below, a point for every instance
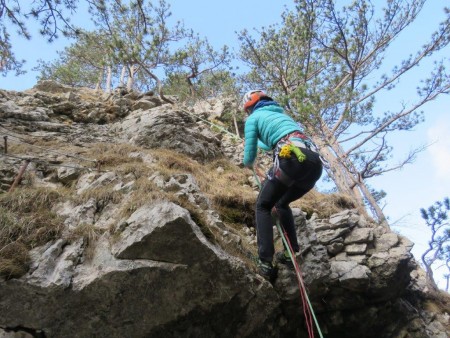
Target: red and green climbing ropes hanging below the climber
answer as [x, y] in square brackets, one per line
[308, 310]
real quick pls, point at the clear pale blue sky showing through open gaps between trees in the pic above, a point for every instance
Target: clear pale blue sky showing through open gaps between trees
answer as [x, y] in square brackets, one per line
[415, 186]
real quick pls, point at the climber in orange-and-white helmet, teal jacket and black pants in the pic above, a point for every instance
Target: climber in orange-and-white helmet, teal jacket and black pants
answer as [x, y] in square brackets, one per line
[295, 170]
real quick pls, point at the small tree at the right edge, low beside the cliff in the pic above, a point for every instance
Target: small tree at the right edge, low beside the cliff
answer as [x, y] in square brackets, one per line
[436, 217]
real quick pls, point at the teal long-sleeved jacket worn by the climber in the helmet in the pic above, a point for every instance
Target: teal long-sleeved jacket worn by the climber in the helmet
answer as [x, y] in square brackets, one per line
[264, 128]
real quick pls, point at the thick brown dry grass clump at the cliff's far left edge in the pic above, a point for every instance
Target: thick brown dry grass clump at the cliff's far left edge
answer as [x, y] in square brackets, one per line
[26, 221]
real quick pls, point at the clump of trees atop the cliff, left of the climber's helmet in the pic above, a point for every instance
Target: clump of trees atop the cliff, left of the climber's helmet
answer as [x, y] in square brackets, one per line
[136, 44]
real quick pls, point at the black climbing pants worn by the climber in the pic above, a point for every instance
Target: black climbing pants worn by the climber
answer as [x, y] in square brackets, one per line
[276, 194]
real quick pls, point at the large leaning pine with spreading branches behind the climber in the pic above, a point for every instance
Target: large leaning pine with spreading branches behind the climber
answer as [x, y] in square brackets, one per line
[324, 62]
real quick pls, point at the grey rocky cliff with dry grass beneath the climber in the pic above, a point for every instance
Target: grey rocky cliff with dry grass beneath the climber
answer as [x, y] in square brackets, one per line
[134, 219]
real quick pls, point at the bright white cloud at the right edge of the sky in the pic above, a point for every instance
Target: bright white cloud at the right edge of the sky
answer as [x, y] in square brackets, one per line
[438, 135]
